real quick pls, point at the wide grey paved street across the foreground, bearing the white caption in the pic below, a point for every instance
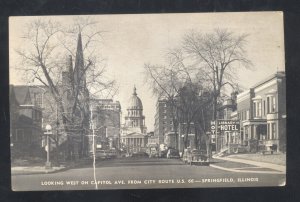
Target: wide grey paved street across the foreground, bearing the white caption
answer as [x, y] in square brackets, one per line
[130, 173]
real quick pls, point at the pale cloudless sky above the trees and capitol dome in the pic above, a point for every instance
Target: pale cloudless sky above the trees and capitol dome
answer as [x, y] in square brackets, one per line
[131, 40]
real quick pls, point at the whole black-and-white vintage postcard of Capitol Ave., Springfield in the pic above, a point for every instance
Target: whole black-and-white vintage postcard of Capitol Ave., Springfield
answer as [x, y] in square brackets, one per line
[147, 101]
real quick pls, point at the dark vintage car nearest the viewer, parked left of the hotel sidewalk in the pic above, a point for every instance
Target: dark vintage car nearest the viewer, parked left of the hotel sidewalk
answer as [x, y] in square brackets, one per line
[196, 157]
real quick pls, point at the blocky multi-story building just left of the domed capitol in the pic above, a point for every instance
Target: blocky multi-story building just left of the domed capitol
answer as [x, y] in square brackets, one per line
[107, 122]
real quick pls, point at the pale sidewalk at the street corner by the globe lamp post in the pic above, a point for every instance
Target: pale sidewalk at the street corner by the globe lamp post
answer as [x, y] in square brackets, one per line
[40, 169]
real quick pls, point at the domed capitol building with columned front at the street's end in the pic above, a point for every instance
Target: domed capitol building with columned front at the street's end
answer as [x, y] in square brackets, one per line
[134, 131]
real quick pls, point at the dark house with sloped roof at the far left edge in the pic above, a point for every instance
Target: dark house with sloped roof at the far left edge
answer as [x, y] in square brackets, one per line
[26, 126]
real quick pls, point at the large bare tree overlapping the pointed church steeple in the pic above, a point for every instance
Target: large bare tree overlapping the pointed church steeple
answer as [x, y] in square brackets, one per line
[47, 43]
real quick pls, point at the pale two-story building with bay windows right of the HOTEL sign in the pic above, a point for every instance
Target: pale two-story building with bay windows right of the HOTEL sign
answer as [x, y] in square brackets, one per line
[262, 111]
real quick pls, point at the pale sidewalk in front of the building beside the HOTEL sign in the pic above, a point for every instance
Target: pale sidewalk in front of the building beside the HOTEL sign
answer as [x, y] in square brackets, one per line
[258, 164]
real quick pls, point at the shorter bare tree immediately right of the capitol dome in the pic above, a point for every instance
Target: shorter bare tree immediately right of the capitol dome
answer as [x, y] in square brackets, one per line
[179, 86]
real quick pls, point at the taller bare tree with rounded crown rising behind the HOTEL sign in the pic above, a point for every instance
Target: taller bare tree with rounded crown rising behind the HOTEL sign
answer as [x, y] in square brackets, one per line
[217, 55]
